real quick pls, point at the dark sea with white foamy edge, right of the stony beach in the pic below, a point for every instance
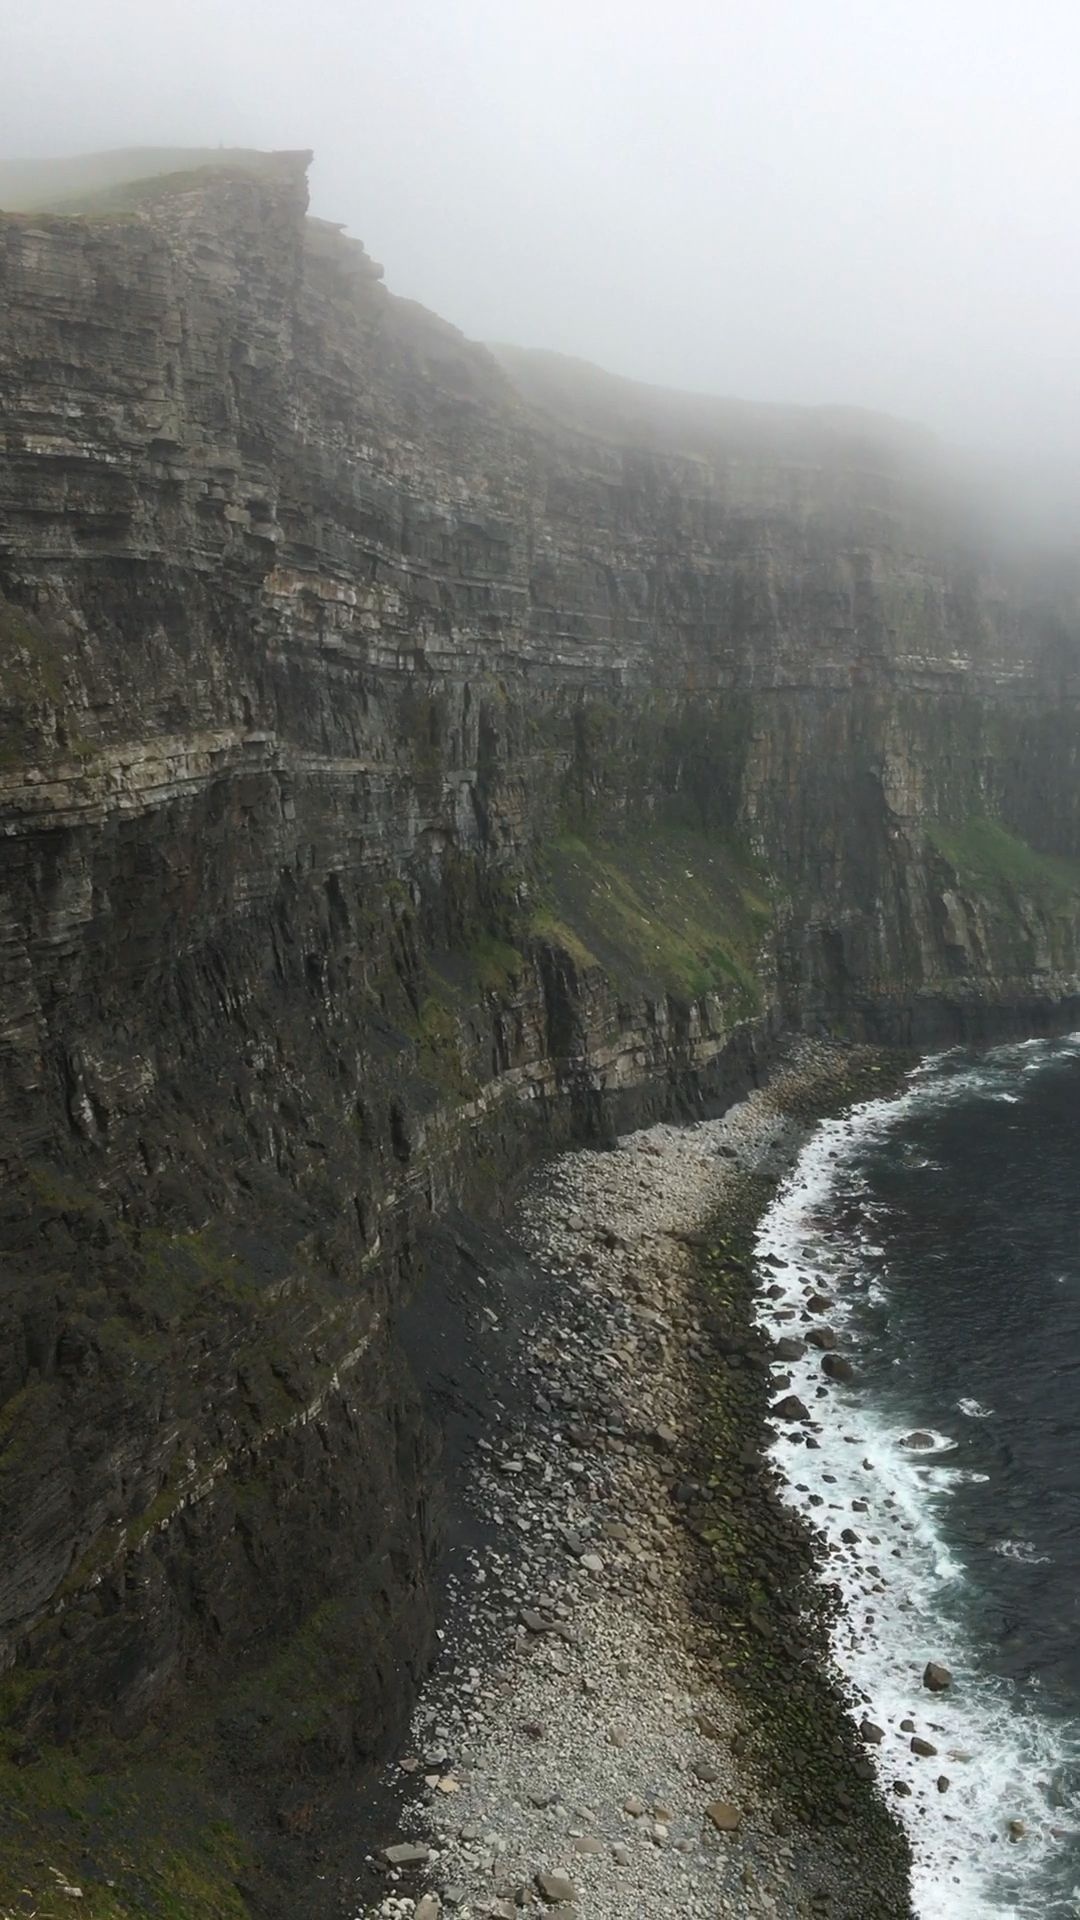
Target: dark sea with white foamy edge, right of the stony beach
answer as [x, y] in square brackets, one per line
[946, 1228]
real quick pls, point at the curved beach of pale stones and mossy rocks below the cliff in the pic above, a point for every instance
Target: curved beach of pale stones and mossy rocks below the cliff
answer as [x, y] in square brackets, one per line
[637, 1710]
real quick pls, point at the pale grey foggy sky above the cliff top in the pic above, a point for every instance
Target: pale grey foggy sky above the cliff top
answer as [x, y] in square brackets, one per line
[856, 201]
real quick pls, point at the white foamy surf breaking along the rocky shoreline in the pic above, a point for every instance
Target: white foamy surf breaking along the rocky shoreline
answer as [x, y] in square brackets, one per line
[985, 1810]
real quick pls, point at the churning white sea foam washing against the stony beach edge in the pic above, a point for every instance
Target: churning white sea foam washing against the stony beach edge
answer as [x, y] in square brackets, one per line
[900, 1579]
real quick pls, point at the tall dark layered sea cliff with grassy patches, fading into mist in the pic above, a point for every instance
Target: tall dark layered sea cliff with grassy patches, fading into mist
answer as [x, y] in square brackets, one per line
[412, 759]
